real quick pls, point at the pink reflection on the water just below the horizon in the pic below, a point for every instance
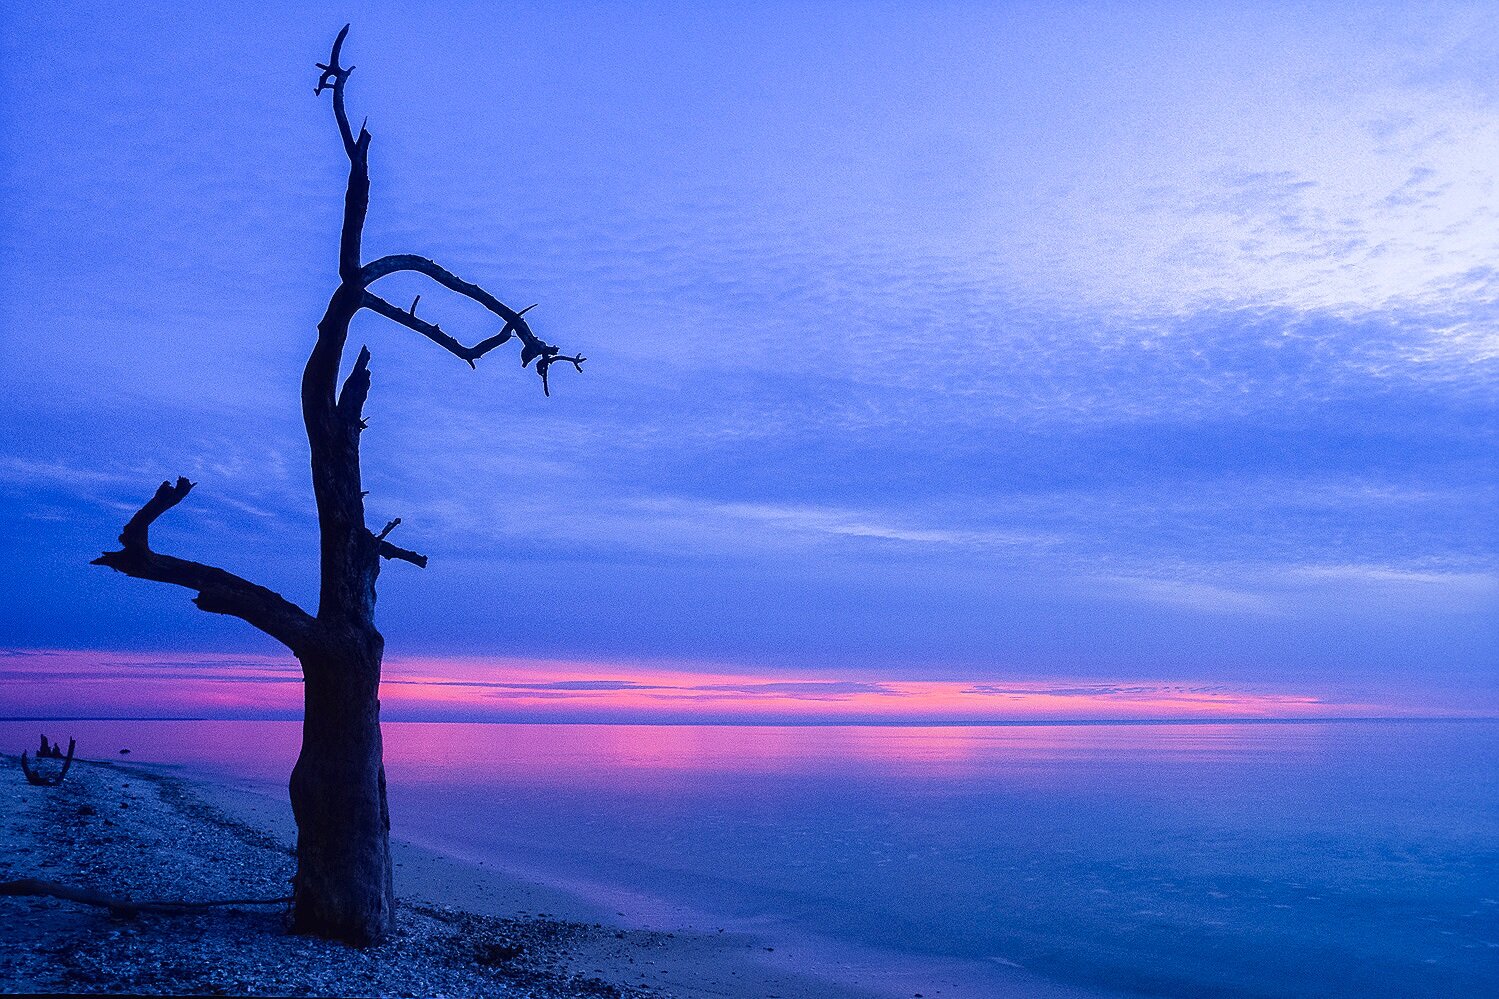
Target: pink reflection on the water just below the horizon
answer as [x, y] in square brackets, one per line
[585, 757]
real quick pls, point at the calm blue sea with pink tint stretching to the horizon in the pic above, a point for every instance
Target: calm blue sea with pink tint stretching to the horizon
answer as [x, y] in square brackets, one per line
[1173, 860]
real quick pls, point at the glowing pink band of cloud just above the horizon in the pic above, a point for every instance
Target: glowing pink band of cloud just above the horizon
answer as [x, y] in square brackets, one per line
[485, 689]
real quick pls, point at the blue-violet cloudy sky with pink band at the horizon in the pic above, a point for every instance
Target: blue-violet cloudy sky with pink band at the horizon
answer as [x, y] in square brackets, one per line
[990, 346]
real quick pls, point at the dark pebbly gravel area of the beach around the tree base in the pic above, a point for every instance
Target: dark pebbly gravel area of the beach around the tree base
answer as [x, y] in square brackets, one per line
[125, 832]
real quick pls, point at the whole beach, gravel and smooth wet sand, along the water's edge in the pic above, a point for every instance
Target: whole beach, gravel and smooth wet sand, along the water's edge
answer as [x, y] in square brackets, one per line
[465, 928]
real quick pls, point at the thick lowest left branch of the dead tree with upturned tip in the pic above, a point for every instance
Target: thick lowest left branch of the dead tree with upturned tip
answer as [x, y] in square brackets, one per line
[220, 592]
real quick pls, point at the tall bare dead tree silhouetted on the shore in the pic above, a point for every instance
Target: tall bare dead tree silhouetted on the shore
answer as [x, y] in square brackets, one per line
[338, 787]
